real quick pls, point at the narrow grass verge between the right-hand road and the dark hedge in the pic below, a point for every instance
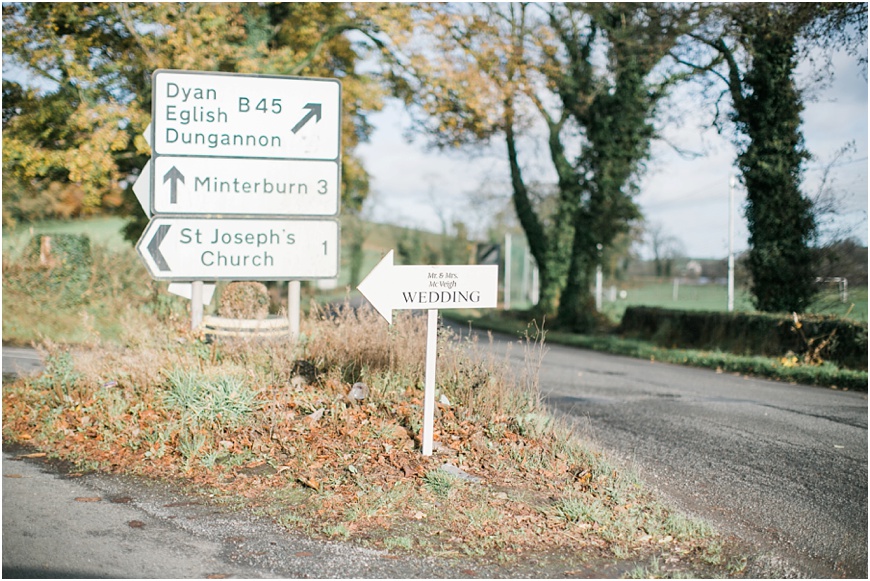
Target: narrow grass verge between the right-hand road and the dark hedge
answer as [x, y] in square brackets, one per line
[788, 367]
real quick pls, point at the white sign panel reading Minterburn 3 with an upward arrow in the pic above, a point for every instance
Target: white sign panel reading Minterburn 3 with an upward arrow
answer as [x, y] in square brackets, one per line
[233, 186]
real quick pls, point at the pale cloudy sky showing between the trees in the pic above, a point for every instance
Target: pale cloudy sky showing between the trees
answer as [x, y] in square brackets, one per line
[413, 185]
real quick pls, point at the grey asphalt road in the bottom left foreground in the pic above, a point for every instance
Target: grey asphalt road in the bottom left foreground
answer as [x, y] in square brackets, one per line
[109, 527]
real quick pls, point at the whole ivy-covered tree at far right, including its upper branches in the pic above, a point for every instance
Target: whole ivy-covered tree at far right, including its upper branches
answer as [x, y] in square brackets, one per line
[761, 45]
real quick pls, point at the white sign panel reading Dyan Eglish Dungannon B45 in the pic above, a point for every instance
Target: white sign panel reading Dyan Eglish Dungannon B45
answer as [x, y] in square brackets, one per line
[208, 114]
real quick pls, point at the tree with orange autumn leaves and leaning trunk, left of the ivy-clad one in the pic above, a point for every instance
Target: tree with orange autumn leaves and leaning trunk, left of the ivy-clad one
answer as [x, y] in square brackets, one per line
[463, 76]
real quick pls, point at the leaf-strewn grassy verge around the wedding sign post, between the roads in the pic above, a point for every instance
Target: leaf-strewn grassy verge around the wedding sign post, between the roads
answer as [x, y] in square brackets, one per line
[323, 435]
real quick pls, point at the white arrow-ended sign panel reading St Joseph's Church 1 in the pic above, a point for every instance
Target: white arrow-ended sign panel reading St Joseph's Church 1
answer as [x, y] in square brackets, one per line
[203, 248]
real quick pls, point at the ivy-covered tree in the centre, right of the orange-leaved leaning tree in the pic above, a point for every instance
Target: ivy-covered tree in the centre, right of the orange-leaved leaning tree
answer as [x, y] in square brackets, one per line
[614, 107]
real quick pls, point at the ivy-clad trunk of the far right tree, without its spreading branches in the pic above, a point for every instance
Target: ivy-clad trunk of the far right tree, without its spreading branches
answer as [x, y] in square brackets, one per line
[779, 217]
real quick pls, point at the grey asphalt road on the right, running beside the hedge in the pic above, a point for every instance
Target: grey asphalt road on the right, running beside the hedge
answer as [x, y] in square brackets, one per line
[783, 467]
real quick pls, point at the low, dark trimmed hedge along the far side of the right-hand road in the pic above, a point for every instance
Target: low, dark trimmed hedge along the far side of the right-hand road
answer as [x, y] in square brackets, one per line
[839, 341]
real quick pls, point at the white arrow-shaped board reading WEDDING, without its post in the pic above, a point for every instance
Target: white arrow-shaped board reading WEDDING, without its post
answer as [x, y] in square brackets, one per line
[389, 287]
